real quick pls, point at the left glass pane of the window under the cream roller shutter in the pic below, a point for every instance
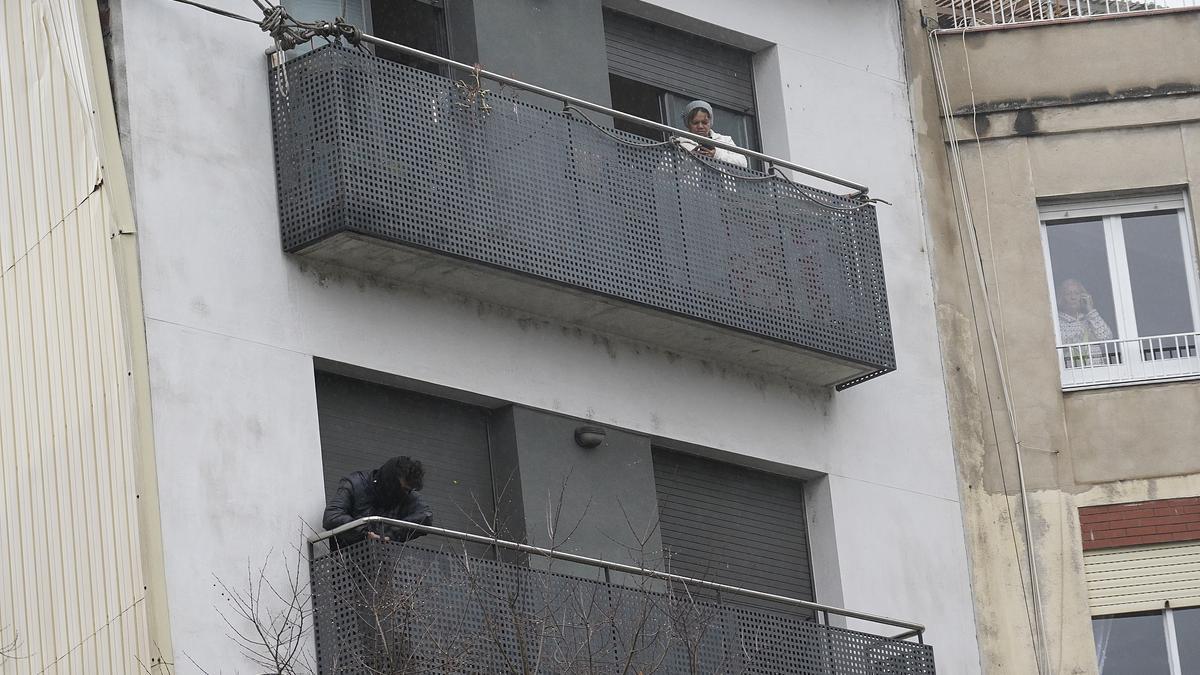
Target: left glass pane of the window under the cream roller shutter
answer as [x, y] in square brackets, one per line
[1131, 644]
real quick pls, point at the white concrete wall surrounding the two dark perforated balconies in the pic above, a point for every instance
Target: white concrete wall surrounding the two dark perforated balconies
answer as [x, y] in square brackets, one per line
[233, 325]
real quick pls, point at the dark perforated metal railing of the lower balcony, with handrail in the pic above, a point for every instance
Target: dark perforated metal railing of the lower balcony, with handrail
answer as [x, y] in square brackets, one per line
[416, 608]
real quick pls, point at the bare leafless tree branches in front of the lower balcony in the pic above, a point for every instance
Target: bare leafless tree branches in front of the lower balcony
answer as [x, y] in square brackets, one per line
[400, 608]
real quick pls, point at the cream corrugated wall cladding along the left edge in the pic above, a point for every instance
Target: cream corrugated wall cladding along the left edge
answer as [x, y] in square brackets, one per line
[71, 576]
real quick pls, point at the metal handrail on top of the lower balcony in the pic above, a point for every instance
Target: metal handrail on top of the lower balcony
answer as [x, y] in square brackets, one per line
[913, 630]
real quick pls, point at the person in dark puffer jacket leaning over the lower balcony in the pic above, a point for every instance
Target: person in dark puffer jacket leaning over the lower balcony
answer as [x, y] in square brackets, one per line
[393, 492]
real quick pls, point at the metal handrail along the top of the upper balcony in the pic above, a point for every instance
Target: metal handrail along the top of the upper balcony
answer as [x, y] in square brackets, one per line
[860, 190]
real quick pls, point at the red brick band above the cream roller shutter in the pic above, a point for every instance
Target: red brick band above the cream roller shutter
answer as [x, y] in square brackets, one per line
[1156, 522]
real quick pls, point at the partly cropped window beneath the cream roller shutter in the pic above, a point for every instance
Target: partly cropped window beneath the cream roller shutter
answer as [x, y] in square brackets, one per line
[1155, 643]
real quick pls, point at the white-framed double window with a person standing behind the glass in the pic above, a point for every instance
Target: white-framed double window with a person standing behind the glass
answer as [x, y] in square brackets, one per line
[1124, 290]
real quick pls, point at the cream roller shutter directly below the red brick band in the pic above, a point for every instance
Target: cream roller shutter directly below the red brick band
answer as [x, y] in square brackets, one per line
[1143, 578]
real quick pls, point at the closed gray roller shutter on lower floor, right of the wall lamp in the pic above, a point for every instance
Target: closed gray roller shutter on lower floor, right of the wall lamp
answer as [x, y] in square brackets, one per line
[734, 525]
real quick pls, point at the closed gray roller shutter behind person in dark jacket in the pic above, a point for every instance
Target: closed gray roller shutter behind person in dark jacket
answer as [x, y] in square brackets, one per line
[364, 425]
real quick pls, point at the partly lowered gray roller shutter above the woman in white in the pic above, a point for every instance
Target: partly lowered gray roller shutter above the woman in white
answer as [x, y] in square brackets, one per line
[680, 63]
